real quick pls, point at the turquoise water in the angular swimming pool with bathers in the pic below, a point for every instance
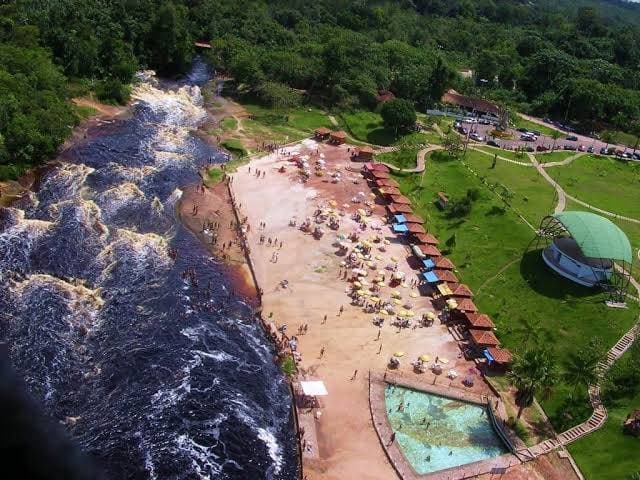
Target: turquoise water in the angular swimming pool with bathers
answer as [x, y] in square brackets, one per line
[436, 433]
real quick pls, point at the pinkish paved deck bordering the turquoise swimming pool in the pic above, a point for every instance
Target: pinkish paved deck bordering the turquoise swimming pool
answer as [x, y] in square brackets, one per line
[377, 383]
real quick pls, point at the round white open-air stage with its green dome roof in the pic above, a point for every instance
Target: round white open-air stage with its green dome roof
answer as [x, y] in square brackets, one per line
[589, 250]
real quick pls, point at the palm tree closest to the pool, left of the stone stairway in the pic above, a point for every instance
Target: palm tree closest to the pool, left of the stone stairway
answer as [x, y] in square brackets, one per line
[530, 373]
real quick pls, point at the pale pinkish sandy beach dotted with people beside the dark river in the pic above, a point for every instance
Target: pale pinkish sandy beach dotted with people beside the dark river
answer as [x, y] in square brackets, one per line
[342, 442]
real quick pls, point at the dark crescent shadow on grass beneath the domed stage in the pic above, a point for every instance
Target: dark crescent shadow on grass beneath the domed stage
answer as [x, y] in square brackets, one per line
[548, 283]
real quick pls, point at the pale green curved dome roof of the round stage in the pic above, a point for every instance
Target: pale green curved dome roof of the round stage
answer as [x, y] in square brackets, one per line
[596, 236]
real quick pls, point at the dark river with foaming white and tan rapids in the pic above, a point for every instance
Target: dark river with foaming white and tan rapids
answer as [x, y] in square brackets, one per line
[155, 377]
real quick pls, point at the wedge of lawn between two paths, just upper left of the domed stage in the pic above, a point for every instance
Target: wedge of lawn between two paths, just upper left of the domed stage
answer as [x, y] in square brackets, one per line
[527, 191]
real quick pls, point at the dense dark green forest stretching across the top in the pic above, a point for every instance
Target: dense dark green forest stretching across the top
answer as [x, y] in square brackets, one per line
[572, 60]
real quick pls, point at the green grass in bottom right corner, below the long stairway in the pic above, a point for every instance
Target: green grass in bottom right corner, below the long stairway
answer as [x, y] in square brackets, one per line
[608, 453]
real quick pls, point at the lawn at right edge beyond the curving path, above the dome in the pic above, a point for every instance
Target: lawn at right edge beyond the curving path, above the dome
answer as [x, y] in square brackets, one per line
[603, 182]
